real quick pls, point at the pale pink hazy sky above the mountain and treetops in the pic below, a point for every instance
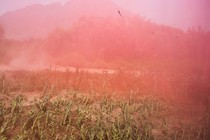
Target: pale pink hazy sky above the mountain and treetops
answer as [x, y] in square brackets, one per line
[178, 13]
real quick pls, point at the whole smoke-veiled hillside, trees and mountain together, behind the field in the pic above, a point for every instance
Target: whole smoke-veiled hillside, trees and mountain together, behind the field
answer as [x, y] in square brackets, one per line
[94, 34]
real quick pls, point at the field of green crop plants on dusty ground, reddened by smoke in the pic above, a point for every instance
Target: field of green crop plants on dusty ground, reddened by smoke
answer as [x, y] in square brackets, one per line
[51, 104]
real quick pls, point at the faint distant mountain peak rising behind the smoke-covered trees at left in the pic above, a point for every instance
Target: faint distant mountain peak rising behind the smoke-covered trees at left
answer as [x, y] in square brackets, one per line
[36, 21]
